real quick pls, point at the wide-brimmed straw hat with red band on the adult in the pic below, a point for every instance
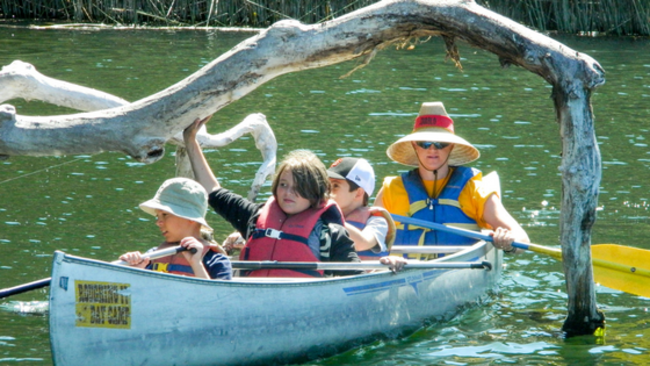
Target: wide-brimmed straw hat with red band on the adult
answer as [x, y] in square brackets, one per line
[433, 124]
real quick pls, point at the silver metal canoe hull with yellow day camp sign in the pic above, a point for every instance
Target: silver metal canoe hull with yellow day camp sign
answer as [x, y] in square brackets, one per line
[104, 314]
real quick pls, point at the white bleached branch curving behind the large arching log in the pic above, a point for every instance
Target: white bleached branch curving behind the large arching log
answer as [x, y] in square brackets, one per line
[22, 80]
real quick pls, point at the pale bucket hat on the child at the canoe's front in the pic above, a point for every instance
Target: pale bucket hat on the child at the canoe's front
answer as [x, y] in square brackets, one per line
[182, 197]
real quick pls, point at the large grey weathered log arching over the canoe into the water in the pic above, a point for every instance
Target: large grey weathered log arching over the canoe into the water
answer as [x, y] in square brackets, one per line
[141, 128]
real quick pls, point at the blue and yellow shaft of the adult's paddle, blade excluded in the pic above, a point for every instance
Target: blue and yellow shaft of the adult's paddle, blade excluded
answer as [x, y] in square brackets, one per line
[555, 253]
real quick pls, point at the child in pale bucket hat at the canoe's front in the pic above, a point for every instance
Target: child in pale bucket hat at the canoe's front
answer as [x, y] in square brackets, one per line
[180, 206]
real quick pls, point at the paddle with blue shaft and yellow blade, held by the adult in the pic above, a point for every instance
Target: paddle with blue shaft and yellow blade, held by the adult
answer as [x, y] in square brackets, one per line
[619, 267]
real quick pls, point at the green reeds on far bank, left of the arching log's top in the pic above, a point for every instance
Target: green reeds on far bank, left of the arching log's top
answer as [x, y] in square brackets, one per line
[238, 13]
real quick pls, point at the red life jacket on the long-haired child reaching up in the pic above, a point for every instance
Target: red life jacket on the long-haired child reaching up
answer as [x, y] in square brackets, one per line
[285, 238]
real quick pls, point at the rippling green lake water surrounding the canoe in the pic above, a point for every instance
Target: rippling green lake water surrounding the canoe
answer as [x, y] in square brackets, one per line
[87, 205]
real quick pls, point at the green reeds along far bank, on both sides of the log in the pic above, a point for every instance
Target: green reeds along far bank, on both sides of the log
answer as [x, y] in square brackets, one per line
[619, 17]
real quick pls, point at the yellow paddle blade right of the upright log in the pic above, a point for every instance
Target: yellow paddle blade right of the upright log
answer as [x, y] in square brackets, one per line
[622, 268]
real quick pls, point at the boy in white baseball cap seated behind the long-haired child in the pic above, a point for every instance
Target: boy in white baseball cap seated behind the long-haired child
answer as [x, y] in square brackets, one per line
[371, 229]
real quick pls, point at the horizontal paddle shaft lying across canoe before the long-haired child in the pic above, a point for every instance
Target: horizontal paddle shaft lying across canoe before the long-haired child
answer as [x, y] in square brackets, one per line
[347, 266]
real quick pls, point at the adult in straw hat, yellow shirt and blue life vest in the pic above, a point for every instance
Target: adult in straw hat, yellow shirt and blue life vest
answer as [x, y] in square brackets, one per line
[440, 189]
